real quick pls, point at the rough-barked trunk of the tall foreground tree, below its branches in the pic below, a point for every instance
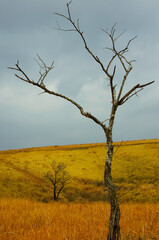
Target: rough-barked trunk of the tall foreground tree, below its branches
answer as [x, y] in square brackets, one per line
[114, 227]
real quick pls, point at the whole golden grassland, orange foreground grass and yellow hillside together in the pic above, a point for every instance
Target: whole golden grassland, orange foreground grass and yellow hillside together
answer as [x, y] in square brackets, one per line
[27, 211]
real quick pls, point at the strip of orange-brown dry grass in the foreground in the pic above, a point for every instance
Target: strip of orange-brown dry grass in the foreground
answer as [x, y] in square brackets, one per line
[26, 220]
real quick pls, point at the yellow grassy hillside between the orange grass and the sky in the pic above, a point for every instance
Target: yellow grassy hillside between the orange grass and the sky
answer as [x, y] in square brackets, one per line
[135, 171]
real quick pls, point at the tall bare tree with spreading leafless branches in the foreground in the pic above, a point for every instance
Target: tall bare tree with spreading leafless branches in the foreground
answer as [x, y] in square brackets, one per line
[118, 98]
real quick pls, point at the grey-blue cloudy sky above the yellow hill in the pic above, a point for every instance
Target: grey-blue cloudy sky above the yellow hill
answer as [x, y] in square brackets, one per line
[28, 119]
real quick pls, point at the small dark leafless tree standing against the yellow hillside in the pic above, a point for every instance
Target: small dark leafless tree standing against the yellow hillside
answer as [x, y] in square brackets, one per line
[58, 177]
